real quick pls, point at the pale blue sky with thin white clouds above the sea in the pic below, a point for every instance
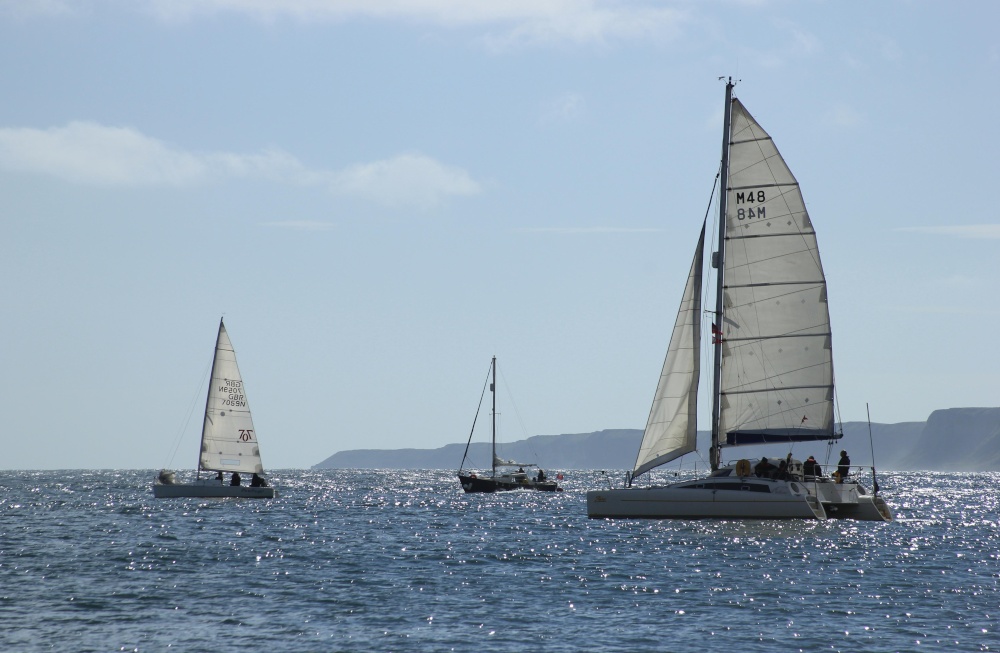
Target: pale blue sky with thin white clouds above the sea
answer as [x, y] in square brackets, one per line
[380, 195]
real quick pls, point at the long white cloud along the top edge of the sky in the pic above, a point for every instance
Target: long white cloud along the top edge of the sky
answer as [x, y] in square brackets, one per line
[516, 21]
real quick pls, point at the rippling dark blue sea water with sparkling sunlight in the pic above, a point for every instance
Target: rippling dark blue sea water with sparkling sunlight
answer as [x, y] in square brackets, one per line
[404, 561]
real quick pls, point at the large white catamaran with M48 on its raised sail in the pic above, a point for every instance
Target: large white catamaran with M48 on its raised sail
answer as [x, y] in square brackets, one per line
[772, 374]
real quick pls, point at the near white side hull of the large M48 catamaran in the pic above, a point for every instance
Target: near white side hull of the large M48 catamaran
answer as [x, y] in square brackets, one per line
[687, 503]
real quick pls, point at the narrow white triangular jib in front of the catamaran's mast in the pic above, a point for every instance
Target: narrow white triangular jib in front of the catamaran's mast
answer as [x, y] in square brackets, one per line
[671, 429]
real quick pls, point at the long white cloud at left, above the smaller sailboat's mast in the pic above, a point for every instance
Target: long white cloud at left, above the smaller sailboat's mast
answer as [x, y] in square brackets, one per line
[94, 154]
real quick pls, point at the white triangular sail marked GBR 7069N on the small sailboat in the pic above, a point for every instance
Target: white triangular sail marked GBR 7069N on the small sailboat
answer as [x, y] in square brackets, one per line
[228, 439]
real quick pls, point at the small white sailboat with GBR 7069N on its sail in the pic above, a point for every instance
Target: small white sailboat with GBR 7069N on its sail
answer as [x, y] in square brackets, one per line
[228, 439]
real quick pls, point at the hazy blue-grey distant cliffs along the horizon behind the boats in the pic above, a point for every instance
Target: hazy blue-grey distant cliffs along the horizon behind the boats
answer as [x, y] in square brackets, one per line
[950, 440]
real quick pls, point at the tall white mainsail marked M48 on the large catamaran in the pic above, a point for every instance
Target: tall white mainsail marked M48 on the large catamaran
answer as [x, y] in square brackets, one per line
[777, 359]
